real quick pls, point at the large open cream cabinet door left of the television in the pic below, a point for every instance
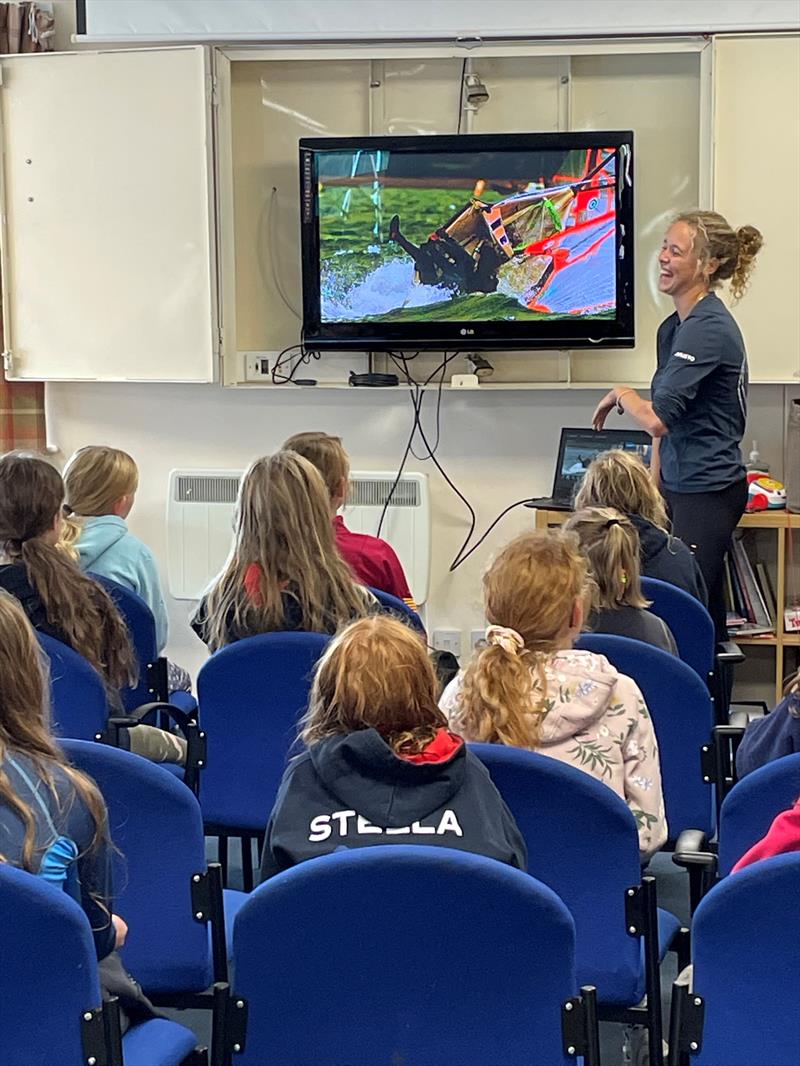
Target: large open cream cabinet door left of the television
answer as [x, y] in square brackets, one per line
[108, 246]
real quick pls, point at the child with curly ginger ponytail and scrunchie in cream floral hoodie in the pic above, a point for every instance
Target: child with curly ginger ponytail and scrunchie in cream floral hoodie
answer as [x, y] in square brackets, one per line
[530, 688]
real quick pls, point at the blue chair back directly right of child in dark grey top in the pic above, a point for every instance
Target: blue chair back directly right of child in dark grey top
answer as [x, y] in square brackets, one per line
[693, 628]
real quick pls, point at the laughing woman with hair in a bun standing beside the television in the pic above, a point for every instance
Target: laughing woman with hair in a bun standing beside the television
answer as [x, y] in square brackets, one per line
[699, 393]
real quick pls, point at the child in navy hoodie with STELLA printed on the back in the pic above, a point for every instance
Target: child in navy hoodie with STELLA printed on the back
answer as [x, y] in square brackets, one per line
[381, 766]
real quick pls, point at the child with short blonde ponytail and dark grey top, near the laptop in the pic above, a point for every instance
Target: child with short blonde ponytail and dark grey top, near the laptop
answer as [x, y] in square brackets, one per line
[611, 544]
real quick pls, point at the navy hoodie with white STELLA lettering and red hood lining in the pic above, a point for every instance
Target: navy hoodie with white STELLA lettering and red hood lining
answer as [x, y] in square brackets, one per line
[353, 792]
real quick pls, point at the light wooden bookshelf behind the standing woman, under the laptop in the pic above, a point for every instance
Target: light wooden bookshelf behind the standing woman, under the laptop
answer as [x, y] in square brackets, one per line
[777, 528]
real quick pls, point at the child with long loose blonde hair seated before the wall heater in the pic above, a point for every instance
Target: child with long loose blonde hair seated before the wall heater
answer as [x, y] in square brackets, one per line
[284, 572]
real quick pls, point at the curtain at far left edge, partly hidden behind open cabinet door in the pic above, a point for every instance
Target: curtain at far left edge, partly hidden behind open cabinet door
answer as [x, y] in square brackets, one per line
[24, 28]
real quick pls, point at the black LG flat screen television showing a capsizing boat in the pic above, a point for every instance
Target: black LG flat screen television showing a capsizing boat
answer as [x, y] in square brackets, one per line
[477, 241]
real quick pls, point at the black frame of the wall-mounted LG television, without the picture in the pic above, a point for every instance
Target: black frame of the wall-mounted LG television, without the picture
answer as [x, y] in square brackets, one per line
[548, 334]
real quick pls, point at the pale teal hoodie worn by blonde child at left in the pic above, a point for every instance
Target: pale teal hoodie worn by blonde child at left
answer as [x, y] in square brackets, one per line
[106, 547]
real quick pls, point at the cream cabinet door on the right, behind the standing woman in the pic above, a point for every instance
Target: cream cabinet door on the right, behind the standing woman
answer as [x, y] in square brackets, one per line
[757, 171]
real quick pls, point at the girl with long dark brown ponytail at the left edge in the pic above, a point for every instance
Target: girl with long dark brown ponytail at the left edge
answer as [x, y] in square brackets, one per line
[57, 597]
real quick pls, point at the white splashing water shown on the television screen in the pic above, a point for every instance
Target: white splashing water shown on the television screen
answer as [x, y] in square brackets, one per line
[388, 288]
